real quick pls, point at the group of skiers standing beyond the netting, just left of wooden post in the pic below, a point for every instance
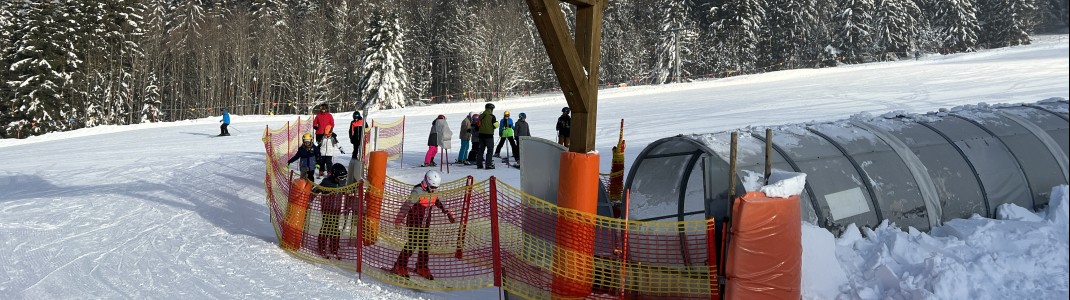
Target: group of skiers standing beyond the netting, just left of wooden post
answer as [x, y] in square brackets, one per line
[479, 130]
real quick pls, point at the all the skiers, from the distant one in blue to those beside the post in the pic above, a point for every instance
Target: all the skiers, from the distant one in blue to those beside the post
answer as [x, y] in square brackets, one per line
[477, 129]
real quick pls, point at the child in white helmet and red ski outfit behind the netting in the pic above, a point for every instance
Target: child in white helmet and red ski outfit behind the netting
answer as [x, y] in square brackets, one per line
[417, 213]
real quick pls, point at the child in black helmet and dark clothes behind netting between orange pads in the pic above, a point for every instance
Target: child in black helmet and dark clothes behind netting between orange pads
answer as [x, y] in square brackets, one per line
[327, 242]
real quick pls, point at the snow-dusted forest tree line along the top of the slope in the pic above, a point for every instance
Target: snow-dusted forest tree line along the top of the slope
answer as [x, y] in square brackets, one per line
[75, 64]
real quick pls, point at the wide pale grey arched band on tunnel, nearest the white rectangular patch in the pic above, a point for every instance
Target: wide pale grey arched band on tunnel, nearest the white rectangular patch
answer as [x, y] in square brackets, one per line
[918, 170]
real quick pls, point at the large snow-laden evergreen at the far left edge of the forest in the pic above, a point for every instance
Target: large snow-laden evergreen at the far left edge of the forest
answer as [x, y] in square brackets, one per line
[40, 64]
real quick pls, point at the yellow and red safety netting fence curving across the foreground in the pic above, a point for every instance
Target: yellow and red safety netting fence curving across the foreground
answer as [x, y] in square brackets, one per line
[485, 234]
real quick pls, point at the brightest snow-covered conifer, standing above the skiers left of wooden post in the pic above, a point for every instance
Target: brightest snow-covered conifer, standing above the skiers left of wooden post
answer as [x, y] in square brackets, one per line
[385, 83]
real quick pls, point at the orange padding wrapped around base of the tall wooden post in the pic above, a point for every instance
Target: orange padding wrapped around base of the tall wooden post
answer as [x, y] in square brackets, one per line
[578, 190]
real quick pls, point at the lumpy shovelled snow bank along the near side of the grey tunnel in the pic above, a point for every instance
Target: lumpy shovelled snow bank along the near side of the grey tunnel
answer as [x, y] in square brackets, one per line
[1011, 258]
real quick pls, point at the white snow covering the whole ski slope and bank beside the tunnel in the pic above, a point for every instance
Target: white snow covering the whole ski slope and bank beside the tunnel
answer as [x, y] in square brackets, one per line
[171, 212]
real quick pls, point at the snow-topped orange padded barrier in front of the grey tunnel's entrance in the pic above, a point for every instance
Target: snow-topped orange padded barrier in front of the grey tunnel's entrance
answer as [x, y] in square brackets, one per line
[766, 250]
